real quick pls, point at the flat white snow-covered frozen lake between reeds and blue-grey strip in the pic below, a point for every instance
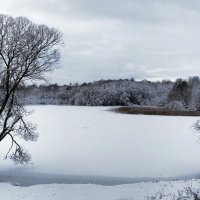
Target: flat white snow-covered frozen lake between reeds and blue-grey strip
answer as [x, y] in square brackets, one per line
[91, 141]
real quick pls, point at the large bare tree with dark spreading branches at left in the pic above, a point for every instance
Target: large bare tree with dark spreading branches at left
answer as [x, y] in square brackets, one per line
[27, 51]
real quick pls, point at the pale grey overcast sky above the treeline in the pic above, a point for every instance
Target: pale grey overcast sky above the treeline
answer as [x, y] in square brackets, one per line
[111, 39]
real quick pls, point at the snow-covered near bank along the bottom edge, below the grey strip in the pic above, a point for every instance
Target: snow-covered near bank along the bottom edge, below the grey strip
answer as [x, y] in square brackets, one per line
[139, 191]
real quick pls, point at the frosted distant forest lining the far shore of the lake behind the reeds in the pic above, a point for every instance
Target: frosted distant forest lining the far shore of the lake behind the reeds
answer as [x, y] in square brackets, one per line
[179, 95]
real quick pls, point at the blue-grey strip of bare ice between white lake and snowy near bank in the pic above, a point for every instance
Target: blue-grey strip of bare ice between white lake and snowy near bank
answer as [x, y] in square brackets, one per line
[26, 179]
